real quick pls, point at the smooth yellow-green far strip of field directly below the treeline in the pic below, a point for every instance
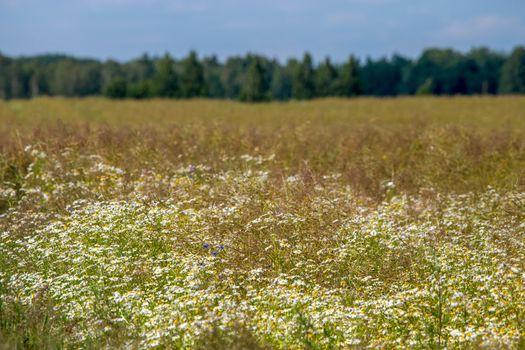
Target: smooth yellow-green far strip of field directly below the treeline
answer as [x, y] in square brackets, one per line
[484, 112]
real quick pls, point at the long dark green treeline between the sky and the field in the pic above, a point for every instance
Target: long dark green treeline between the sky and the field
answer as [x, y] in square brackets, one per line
[257, 78]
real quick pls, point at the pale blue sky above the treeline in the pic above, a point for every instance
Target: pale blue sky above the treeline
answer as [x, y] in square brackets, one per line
[124, 29]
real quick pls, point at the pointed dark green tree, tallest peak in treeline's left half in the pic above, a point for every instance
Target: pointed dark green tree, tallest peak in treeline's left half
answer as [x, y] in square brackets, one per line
[192, 77]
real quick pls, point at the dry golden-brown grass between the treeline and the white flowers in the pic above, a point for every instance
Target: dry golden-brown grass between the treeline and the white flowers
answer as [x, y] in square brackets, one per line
[451, 144]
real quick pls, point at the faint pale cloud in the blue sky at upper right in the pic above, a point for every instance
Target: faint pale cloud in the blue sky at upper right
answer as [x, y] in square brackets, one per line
[480, 26]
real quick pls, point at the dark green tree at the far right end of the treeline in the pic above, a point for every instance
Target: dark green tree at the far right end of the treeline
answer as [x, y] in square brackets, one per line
[513, 72]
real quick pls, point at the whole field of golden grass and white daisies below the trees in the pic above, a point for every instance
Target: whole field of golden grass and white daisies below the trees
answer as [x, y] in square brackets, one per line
[205, 224]
